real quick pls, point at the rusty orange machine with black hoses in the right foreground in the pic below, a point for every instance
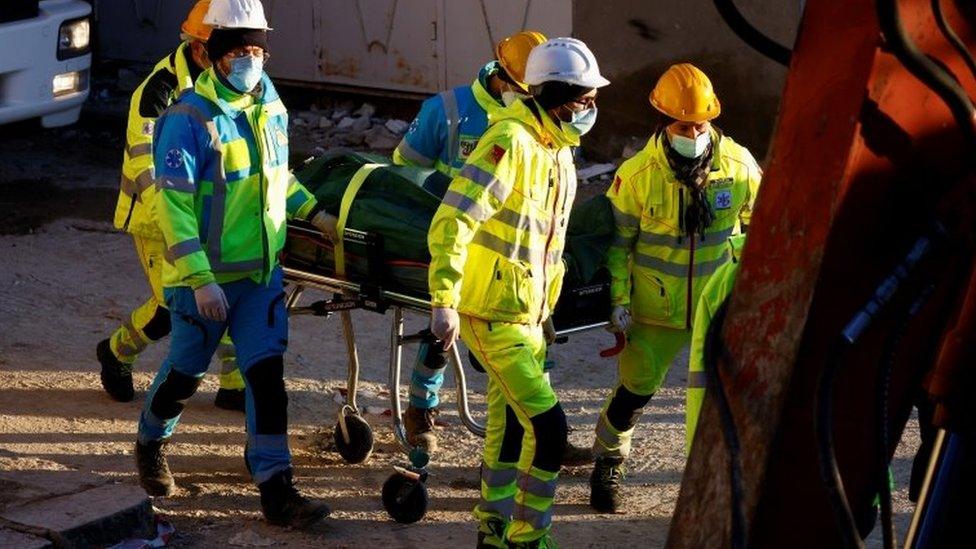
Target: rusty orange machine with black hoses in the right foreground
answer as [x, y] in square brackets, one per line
[856, 297]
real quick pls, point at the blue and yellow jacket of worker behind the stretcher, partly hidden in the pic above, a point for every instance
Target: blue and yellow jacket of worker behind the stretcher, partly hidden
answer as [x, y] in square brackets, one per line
[449, 125]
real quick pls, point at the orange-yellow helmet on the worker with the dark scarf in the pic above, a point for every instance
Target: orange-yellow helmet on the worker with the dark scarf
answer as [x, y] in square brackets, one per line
[684, 93]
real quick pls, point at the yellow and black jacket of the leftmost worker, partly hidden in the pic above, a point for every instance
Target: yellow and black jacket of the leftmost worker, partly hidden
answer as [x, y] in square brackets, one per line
[173, 75]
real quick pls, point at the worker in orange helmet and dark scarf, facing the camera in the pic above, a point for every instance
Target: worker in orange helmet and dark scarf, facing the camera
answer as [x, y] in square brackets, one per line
[675, 204]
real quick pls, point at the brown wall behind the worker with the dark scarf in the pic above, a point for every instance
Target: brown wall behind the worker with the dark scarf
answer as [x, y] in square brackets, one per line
[635, 41]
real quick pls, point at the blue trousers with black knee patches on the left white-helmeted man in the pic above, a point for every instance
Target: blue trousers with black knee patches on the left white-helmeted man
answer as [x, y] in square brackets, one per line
[258, 323]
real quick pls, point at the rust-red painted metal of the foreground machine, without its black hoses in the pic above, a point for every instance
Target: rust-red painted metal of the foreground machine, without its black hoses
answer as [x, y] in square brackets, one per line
[865, 158]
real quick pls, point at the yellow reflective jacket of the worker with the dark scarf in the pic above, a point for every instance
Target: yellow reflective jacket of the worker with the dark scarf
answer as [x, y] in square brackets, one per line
[655, 269]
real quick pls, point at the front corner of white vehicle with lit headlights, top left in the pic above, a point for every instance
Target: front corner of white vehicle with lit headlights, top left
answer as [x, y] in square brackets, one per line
[45, 60]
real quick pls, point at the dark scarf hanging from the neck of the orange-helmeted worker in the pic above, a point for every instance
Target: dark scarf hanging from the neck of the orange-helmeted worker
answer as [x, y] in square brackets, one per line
[696, 212]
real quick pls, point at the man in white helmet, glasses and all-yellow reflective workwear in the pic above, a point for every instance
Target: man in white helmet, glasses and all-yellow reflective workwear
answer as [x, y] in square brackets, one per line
[496, 270]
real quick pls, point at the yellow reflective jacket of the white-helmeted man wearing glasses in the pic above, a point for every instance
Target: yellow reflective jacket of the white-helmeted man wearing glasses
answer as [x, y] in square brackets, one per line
[497, 239]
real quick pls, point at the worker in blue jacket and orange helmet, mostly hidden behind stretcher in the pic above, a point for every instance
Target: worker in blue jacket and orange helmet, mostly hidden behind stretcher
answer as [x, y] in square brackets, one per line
[442, 136]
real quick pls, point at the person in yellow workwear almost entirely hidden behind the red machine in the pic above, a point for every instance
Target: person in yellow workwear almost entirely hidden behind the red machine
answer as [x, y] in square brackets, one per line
[713, 296]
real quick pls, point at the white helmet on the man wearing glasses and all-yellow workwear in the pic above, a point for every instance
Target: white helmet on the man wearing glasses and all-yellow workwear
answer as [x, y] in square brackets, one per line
[563, 60]
